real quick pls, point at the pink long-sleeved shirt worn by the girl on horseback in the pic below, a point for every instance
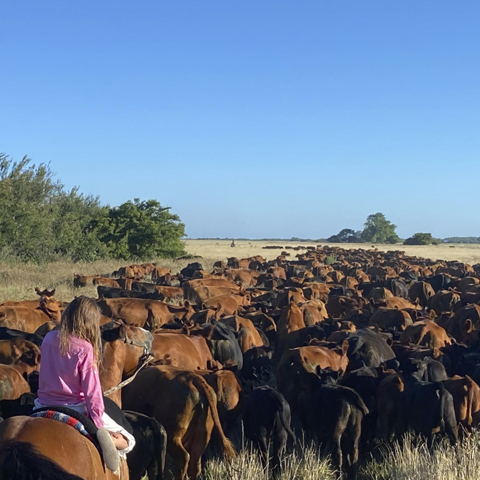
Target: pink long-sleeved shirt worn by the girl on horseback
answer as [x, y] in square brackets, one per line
[70, 379]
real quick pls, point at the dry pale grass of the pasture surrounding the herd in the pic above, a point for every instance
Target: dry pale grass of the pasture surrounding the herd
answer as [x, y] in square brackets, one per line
[411, 460]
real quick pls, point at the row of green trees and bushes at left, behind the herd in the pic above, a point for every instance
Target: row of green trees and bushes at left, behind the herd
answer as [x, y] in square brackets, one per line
[40, 220]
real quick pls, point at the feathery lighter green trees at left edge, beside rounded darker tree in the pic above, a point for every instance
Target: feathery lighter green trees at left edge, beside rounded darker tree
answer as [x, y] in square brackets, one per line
[40, 220]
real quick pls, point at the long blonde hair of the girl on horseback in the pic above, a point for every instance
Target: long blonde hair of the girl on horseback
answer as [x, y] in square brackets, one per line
[82, 319]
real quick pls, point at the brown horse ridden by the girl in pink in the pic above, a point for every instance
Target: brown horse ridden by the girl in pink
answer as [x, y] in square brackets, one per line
[40, 449]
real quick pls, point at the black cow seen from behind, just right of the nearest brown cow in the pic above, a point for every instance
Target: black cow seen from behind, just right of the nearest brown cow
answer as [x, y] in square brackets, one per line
[266, 420]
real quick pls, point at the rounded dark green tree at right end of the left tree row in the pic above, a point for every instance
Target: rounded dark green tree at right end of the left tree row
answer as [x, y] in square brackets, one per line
[142, 229]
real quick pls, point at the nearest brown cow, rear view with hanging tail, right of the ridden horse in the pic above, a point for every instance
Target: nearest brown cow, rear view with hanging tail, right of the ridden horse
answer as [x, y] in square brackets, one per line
[186, 406]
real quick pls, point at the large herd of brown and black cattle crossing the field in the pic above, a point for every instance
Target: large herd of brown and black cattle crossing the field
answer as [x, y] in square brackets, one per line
[346, 347]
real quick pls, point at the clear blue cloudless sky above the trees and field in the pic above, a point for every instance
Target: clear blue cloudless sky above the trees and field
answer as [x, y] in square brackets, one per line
[253, 118]
